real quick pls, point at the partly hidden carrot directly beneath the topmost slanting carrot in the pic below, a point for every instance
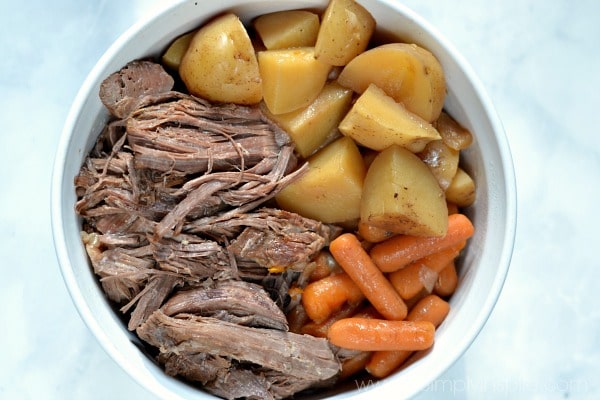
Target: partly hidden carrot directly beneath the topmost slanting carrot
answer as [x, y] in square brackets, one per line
[423, 273]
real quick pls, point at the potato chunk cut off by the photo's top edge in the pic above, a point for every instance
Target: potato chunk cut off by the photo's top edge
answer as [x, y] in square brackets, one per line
[345, 32]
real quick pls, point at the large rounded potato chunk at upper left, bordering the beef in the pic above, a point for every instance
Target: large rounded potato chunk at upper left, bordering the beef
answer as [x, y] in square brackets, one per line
[220, 64]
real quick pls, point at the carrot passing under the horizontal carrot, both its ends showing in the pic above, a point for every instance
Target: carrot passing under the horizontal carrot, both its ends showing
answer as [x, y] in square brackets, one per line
[432, 309]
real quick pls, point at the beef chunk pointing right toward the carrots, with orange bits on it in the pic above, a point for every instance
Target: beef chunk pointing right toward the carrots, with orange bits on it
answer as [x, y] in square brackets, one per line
[281, 242]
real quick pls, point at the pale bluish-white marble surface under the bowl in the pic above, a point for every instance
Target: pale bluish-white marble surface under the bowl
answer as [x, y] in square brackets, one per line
[539, 61]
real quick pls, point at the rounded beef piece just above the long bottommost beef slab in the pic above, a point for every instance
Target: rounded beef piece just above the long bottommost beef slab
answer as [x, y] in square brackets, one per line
[241, 302]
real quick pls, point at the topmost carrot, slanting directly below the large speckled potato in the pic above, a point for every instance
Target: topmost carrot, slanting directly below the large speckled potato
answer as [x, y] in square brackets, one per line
[400, 250]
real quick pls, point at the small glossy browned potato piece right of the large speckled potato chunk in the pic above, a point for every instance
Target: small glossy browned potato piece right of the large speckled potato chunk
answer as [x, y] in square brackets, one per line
[441, 160]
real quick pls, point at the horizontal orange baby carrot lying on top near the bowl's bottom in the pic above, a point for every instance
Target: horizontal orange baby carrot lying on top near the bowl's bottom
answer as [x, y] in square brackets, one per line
[368, 334]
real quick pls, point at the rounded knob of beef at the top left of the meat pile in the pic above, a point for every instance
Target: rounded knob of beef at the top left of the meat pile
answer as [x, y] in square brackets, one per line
[121, 91]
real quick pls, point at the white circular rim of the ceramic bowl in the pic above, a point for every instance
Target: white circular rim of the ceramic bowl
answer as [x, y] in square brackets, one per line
[59, 235]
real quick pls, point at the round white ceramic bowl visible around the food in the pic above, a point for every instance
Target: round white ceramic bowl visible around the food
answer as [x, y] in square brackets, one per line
[482, 271]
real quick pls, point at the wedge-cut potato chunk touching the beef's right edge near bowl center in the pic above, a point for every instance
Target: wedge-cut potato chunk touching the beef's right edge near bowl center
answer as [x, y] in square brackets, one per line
[331, 189]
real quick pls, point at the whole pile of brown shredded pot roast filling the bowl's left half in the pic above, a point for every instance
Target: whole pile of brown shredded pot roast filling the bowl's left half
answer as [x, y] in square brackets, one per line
[178, 224]
